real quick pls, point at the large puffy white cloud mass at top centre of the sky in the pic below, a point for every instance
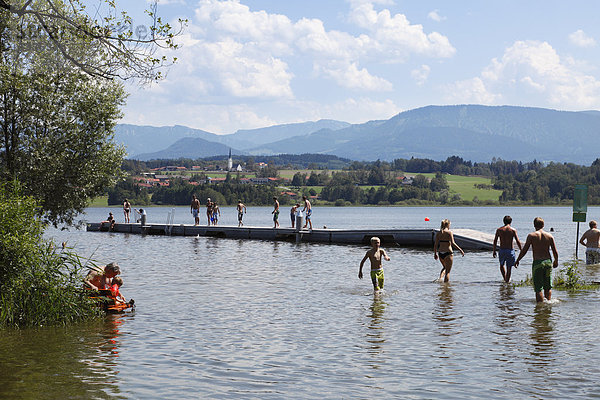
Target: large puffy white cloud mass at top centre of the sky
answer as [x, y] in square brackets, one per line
[244, 53]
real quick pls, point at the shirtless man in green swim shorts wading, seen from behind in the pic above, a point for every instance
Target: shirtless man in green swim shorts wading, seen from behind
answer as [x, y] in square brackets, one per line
[541, 269]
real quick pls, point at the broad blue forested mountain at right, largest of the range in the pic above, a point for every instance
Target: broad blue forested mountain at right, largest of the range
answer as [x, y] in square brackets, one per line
[474, 132]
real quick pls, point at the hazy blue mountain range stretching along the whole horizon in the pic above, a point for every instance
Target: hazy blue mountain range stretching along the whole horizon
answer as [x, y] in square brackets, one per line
[473, 132]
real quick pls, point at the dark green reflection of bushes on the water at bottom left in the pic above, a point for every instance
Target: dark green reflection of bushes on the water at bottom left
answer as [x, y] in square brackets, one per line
[75, 362]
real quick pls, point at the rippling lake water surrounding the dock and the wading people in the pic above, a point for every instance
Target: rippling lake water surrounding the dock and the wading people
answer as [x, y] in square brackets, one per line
[221, 318]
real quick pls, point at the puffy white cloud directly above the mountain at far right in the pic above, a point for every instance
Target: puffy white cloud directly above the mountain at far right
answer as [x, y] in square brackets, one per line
[534, 69]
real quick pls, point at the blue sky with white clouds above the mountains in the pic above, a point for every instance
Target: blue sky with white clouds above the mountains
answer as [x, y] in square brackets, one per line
[252, 63]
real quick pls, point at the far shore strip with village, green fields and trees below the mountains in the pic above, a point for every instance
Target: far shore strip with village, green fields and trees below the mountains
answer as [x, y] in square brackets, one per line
[414, 182]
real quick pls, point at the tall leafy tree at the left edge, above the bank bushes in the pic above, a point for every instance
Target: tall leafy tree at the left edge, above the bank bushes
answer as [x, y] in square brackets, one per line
[56, 125]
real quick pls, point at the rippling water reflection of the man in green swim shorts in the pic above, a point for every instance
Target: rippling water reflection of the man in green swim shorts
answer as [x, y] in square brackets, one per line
[542, 354]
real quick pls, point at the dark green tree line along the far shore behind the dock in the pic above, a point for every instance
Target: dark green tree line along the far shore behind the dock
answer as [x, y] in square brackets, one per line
[381, 182]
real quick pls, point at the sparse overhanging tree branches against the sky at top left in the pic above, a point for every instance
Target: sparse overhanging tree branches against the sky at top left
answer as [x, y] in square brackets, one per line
[103, 45]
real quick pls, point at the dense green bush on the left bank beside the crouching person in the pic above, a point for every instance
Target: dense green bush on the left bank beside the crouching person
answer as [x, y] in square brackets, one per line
[40, 283]
